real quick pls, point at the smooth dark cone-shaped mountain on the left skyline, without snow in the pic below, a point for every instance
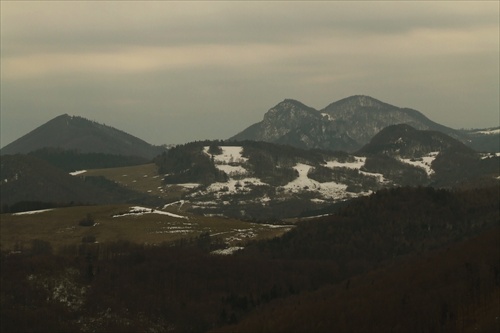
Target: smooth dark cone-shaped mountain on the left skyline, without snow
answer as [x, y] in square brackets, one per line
[77, 133]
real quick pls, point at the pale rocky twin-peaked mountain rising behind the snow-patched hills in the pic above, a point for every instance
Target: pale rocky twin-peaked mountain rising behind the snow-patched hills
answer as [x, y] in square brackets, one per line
[346, 125]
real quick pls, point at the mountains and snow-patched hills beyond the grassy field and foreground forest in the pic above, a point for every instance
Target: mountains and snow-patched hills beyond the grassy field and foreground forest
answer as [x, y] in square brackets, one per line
[296, 161]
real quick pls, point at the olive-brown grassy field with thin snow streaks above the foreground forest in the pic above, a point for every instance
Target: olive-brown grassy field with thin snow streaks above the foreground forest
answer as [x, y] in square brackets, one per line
[61, 227]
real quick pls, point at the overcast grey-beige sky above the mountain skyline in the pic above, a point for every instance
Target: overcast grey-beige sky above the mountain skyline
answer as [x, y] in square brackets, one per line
[173, 72]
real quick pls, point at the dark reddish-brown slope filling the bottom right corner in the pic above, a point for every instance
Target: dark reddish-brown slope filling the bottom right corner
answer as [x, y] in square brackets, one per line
[456, 289]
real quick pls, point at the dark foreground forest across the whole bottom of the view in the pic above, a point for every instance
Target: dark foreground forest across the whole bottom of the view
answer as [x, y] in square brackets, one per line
[405, 259]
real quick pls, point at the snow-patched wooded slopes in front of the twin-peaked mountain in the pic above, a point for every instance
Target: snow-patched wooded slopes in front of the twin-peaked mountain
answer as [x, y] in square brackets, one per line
[260, 180]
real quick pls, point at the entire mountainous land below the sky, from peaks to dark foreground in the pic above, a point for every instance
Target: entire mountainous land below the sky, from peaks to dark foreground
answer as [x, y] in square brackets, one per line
[365, 204]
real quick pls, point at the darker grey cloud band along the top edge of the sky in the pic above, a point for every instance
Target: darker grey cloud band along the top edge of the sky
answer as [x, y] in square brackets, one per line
[104, 25]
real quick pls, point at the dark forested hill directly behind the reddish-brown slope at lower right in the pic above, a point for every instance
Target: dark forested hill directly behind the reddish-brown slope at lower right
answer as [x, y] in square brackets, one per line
[388, 224]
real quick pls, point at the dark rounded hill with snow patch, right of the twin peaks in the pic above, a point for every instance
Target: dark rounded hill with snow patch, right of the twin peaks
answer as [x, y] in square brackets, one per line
[447, 161]
